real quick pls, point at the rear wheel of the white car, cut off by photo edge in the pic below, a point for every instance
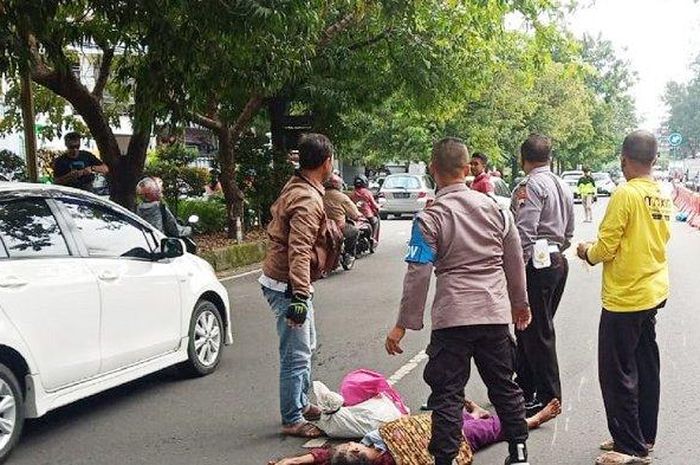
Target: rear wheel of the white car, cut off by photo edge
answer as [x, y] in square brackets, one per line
[11, 412]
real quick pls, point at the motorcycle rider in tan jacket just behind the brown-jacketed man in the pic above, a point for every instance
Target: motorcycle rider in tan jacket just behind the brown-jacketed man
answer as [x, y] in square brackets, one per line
[340, 208]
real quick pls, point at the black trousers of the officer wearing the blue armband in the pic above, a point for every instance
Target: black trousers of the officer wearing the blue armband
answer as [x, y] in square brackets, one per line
[447, 372]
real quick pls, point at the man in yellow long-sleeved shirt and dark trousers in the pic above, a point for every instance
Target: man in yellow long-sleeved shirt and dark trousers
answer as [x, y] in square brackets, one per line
[632, 247]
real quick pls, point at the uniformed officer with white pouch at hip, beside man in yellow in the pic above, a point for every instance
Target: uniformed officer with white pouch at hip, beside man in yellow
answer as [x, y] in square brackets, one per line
[544, 214]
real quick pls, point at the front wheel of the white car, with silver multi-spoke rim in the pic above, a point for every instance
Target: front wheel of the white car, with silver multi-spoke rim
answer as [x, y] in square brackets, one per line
[206, 340]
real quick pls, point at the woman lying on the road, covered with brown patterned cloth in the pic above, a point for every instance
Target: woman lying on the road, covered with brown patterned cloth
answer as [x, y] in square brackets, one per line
[405, 440]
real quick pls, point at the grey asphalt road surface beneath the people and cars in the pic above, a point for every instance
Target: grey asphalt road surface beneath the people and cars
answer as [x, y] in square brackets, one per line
[231, 416]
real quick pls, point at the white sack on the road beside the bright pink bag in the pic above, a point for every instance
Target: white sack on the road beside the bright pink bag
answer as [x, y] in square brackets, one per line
[354, 421]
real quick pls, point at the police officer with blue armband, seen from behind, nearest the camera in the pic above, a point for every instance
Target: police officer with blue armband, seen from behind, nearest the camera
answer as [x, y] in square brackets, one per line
[474, 249]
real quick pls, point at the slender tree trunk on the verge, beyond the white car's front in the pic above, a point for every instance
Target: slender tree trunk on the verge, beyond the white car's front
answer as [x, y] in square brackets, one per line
[232, 193]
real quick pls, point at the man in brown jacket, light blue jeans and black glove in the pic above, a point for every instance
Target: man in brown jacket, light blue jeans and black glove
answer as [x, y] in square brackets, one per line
[293, 261]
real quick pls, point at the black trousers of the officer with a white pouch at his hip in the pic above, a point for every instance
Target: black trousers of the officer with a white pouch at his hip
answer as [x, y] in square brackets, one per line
[537, 364]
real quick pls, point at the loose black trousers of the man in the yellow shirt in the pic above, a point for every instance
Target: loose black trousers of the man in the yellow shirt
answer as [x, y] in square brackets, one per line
[629, 374]
